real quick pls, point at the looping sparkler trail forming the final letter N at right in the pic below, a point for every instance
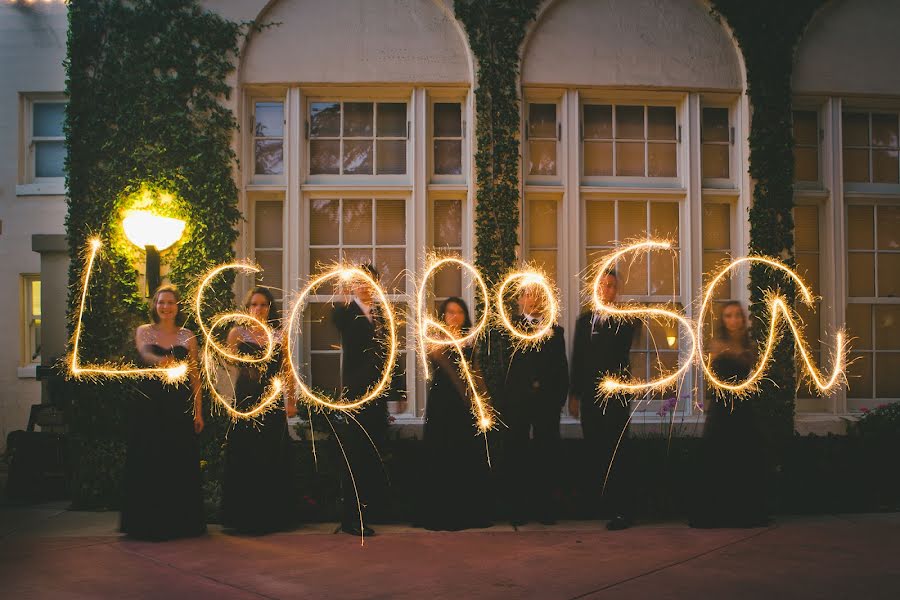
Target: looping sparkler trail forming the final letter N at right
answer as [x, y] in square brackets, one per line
[778, 309]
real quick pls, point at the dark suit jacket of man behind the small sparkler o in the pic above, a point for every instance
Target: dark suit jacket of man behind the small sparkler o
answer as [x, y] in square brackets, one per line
[540, 372]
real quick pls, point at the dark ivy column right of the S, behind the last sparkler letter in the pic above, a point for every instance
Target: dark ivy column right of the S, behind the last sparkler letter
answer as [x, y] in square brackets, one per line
[767, 33]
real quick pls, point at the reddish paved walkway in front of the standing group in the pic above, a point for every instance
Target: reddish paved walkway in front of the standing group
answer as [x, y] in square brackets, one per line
[48, 552]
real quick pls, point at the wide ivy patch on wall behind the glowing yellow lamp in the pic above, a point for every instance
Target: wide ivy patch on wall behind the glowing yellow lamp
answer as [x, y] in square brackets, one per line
[144, 129]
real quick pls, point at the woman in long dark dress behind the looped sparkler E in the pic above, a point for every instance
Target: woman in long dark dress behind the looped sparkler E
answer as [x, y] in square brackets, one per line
[258, 475]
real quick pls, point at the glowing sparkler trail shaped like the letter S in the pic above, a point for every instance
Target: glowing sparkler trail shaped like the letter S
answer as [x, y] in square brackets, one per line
[611, 385]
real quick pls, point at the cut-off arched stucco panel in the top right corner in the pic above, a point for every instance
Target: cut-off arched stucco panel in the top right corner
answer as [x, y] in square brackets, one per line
[851, 47]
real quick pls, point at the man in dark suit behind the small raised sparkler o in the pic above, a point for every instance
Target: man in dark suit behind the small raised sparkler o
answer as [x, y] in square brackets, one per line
[535, 389]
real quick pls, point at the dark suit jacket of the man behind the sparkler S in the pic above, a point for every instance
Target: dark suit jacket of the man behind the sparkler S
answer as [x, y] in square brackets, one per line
[600, 349]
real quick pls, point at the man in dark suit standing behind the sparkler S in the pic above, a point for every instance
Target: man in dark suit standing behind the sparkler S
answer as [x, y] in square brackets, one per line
[602, 346]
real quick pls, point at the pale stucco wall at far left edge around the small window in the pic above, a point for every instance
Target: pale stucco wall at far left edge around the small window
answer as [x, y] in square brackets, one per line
[32, 48]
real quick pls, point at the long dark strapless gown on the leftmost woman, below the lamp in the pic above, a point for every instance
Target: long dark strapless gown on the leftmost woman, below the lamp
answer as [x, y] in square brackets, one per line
[162, 469]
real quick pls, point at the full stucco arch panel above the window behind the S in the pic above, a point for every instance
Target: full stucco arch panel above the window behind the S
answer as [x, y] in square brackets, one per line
[658, 43]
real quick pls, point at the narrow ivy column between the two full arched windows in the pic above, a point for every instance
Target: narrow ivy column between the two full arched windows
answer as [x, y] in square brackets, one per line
[496, 29]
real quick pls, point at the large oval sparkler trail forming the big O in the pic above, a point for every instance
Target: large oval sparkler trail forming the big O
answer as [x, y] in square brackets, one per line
[344, 274]
